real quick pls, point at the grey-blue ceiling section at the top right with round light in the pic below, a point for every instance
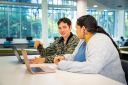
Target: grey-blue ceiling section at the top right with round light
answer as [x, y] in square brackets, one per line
[108, 4]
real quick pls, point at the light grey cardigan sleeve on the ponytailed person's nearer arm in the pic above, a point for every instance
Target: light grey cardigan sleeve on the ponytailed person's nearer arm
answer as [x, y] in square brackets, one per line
[98, 53]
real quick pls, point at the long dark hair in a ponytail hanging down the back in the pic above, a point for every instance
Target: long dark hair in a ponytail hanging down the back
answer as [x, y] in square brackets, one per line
[90, 23]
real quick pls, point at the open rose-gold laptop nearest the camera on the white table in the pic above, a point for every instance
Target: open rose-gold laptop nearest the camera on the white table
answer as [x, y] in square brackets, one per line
[37, 69]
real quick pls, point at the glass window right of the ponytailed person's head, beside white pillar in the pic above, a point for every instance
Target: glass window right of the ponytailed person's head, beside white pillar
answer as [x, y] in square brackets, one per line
[106, 19]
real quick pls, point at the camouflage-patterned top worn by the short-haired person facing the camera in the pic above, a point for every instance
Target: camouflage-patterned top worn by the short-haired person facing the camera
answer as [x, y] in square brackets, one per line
[58, 48]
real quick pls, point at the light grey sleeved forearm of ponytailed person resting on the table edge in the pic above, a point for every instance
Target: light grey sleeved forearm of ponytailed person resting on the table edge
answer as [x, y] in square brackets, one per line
[78, 67]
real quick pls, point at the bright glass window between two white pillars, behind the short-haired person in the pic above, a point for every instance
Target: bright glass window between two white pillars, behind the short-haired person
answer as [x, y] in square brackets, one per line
[58, 9]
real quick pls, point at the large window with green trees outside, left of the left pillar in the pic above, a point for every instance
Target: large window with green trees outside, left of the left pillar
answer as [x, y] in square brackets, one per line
[20, 21]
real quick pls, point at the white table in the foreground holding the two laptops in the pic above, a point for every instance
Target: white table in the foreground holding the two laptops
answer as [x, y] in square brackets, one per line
[13, 73]
